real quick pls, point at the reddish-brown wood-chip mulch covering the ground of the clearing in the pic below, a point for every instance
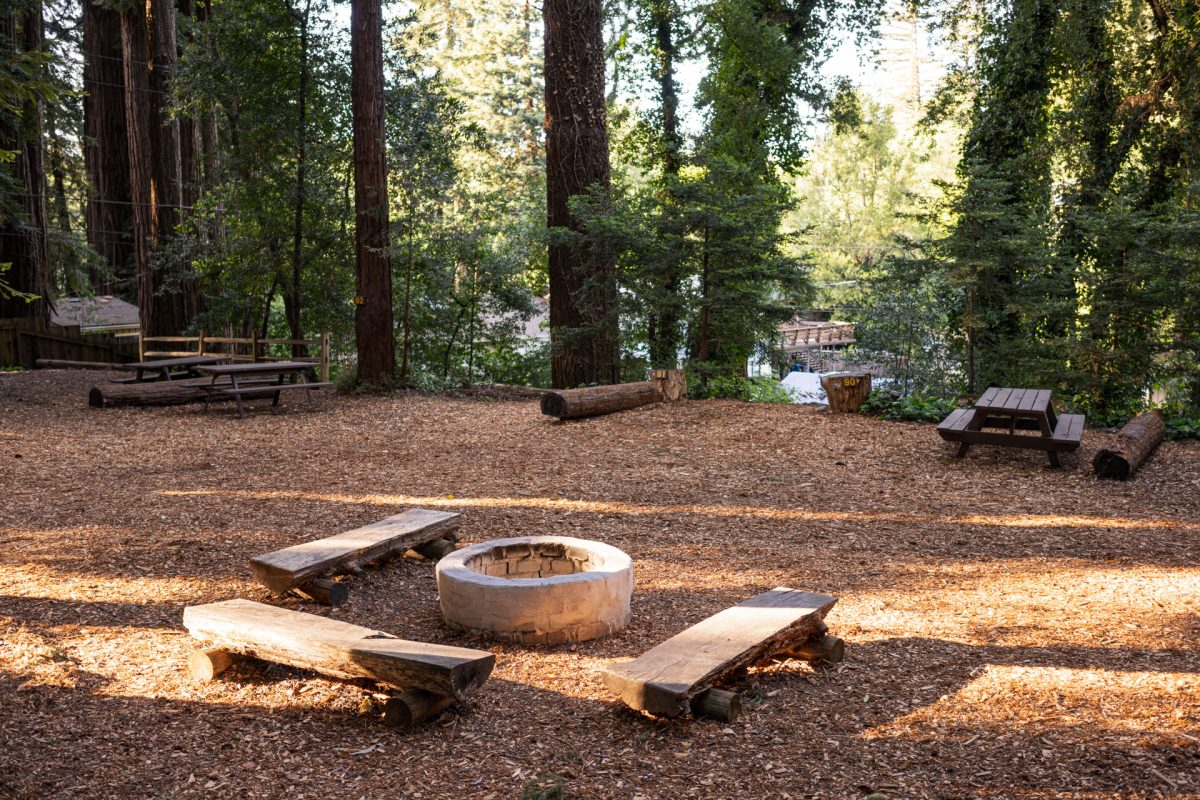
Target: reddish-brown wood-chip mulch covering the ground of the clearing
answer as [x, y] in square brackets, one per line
[1013, 631]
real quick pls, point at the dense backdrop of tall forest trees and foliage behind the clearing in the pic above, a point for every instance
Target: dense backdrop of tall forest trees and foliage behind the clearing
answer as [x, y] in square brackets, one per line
[1012, 201]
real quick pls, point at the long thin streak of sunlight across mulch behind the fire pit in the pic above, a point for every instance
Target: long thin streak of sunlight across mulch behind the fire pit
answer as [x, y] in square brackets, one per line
[599, 507]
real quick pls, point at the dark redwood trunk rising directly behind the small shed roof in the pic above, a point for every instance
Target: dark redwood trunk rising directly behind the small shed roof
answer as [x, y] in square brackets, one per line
[106, 149]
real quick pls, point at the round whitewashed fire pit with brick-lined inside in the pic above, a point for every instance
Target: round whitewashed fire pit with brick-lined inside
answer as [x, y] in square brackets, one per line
[537, 590]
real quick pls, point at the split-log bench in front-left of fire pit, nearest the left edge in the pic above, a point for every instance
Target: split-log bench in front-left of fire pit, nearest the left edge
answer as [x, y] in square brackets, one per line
[434, 676]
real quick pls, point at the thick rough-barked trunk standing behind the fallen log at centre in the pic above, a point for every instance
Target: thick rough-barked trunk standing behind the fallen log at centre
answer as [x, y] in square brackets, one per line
[583, 286]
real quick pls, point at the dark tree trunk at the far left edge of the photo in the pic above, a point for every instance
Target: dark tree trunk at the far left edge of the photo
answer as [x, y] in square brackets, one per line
[23, 239]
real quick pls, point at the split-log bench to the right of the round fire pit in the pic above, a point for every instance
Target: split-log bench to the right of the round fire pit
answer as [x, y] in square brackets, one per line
[683, 675]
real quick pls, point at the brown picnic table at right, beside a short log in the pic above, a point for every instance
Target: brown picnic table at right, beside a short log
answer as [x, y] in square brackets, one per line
[1029, 417]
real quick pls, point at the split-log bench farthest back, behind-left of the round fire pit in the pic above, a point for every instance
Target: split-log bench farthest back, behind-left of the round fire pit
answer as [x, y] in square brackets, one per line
[305, 568]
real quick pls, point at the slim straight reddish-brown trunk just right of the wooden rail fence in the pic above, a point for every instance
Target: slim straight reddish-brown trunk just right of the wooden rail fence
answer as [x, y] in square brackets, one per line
[375, 336]
